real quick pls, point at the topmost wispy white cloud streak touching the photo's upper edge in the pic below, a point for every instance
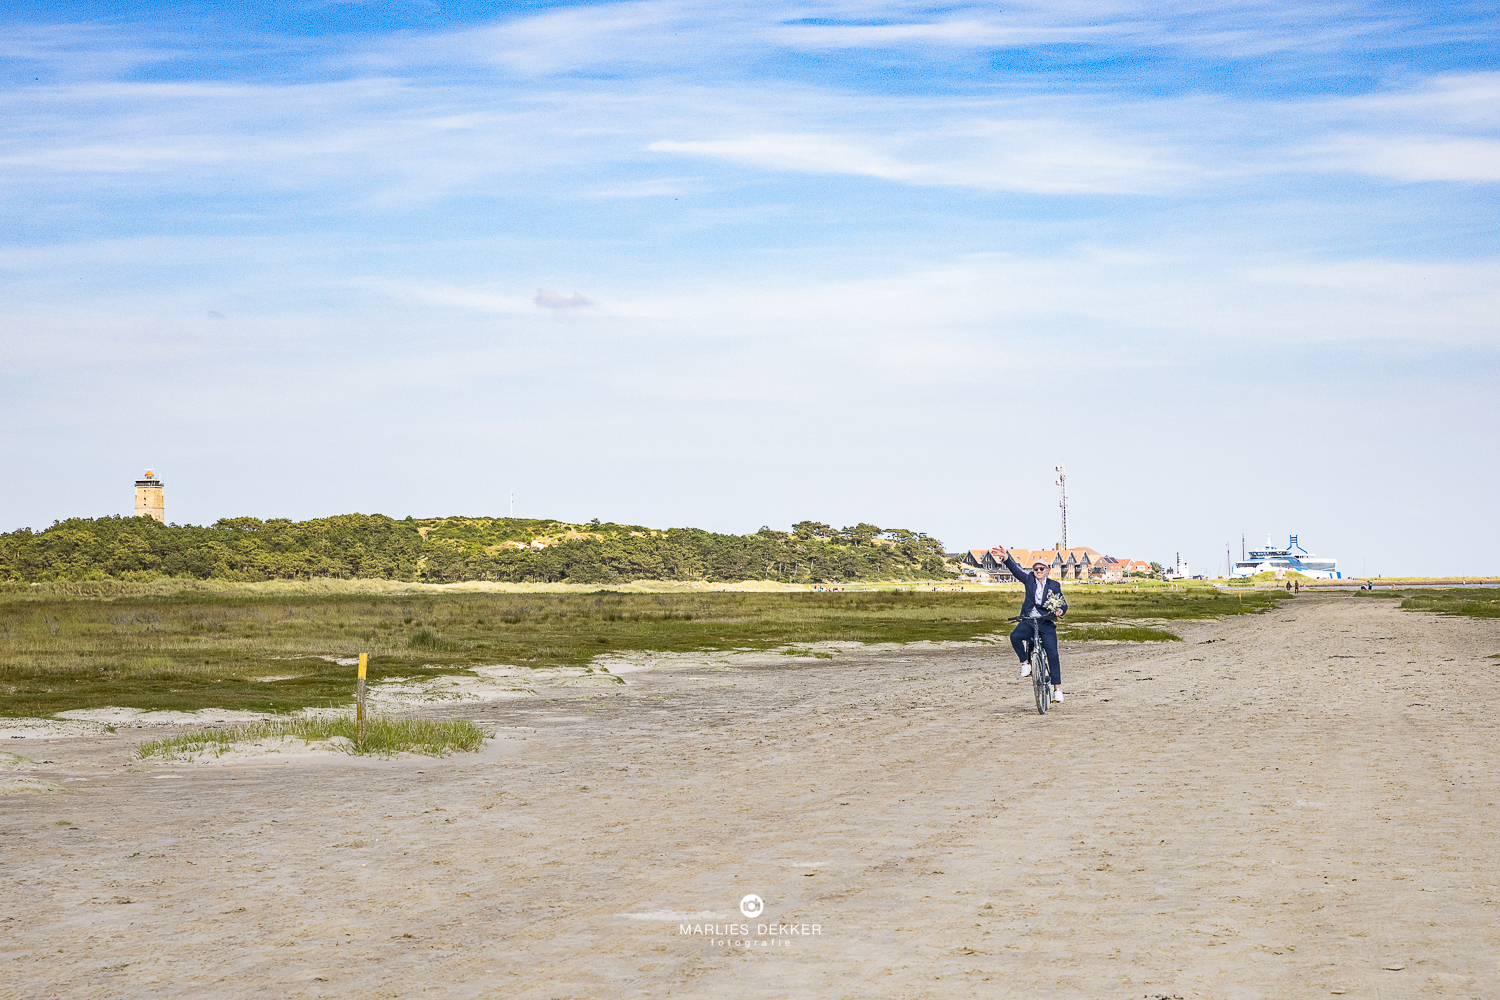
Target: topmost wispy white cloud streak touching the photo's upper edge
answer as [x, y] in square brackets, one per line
[659, 37]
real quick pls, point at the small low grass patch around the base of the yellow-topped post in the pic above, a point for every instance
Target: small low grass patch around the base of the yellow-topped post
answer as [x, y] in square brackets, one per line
[383, 737]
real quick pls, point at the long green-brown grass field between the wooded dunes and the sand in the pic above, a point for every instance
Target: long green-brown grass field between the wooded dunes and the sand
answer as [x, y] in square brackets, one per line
[271, 651]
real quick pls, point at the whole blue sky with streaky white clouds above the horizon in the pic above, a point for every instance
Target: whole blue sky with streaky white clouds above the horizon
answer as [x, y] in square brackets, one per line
[1235, 266]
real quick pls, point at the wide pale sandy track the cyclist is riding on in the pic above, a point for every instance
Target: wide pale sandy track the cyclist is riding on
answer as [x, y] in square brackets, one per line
[1283, 806]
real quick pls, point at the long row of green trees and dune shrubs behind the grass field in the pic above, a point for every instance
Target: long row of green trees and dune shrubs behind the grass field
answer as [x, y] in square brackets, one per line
[454, 549]
